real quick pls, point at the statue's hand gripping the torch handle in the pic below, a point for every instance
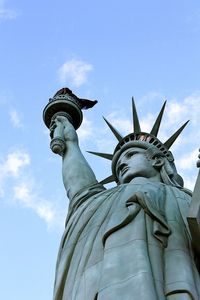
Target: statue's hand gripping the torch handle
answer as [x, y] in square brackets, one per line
[65, 128]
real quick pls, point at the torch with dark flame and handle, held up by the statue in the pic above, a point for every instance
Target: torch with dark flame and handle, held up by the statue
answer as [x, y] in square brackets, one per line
[64, 103]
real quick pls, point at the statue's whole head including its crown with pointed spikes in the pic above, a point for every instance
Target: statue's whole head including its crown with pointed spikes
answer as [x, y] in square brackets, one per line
[142, 154]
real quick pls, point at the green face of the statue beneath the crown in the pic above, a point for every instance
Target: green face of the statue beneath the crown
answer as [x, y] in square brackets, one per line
[134, 163]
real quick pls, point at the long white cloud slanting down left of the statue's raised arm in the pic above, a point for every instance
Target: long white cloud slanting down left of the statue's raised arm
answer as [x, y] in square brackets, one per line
[17, 181]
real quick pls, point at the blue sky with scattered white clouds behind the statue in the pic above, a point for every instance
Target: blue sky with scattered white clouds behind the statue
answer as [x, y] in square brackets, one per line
[104, 50]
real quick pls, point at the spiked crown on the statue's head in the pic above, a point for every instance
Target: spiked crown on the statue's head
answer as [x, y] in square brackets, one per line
[139, 139]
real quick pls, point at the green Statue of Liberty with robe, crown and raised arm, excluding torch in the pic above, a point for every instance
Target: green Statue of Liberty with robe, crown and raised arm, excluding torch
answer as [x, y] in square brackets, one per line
[131, 241]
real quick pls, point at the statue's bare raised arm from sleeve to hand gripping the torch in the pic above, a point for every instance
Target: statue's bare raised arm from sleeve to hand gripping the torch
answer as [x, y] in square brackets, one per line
[76, 171]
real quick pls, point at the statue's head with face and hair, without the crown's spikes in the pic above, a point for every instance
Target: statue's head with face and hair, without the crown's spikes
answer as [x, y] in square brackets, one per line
[139, 159]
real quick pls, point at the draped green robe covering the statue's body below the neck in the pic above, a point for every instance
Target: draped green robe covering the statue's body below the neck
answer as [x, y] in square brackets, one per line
[129, 242]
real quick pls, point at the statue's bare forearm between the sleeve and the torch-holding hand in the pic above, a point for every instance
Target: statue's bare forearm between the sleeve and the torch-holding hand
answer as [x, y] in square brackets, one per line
[77, 173]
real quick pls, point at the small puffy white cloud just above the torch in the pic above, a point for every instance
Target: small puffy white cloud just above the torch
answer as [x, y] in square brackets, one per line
[74, 71]
